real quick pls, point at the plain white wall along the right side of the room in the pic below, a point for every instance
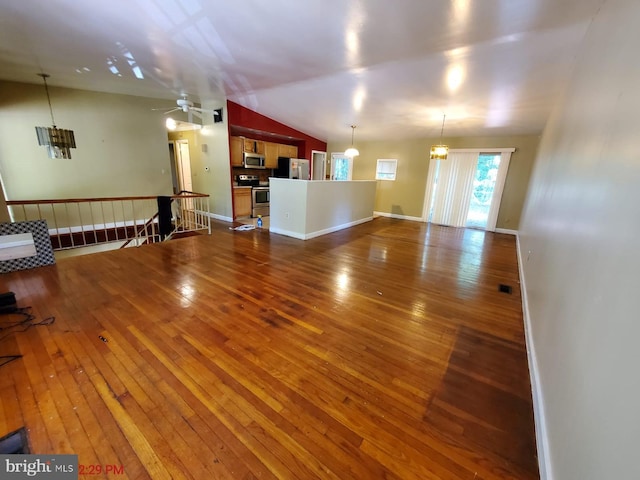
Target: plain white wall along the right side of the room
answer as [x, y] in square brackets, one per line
[579, 244]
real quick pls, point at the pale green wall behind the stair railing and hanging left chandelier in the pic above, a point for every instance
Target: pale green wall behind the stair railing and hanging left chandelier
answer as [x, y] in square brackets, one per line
[121, 144]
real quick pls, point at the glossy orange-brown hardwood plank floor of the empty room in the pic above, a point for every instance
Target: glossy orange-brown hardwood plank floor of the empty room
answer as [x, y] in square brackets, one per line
[381, 351]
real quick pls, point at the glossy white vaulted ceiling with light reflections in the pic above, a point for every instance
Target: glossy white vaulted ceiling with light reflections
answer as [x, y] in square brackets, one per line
[391, 67]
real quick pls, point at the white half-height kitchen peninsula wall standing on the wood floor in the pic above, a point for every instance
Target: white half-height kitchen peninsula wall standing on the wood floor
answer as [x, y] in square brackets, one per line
[306, 209]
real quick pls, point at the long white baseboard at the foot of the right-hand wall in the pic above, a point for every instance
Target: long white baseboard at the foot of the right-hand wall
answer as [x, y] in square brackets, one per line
[542, 439]
